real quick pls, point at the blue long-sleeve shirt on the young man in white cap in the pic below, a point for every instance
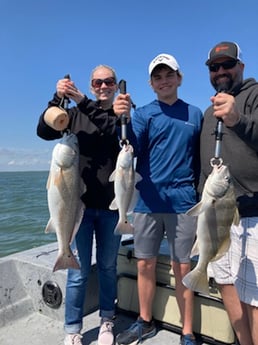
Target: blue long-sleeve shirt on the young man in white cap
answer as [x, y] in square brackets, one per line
[167, 149]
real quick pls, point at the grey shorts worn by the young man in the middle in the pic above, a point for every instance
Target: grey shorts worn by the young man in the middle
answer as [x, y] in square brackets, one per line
[179, 229]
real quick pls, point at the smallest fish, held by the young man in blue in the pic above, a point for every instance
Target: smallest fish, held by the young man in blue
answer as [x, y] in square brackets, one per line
[125, 178]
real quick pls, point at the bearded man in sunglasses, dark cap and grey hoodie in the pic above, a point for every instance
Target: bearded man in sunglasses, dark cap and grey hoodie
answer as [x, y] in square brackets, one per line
[236, 104]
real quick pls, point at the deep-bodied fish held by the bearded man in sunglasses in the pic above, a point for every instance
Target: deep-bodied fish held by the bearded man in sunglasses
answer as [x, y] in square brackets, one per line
[216, 212]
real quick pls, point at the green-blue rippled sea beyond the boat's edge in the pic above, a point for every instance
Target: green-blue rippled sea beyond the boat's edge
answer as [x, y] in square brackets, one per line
[23, 211]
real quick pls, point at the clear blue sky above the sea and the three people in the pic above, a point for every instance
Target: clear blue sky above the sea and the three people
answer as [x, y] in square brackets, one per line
[42, 40]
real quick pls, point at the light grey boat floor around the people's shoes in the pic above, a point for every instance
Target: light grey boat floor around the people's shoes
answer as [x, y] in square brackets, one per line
[38, 329]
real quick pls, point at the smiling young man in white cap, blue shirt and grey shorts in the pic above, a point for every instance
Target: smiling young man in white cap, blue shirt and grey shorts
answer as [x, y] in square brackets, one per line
[167, 145]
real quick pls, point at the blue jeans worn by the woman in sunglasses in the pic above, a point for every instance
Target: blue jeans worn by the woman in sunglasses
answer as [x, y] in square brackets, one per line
[102, 222]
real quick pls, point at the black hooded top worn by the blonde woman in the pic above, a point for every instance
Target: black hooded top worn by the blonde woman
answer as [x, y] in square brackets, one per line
[97, 134]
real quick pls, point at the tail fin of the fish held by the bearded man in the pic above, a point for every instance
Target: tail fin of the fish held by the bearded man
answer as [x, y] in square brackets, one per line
[197, 280]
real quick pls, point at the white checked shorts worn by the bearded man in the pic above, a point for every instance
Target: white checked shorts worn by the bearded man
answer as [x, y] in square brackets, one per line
[240, 264]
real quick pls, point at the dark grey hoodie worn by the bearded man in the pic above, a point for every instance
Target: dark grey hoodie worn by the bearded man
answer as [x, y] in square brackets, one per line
[239, 148]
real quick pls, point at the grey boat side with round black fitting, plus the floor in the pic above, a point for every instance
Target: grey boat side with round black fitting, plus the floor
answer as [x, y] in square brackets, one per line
[32, 300]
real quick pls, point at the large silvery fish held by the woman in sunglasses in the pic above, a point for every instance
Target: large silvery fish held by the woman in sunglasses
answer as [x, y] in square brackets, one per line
[64, 188]
